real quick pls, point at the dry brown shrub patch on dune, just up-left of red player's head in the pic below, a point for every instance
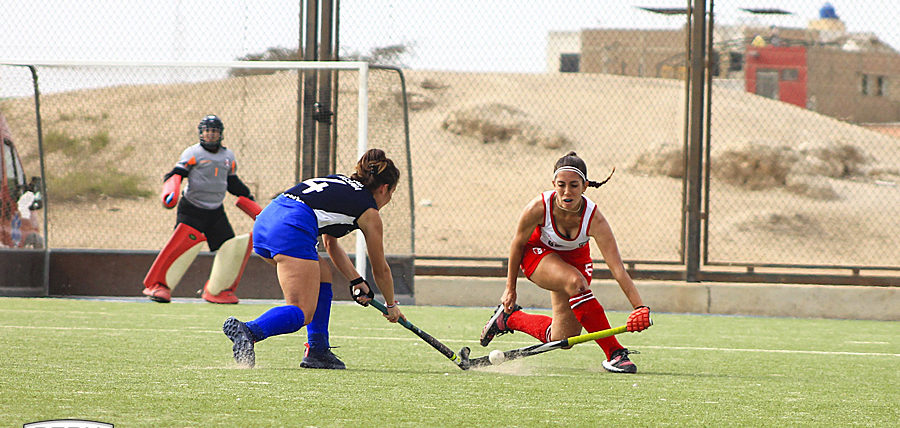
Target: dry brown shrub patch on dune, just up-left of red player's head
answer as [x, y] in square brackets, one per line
[499, 123]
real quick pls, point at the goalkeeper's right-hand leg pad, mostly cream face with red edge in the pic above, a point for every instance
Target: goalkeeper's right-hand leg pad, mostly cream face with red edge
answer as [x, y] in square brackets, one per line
[228, 266]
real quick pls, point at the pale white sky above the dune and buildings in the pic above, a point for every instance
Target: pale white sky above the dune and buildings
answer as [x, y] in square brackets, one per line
[461, 35]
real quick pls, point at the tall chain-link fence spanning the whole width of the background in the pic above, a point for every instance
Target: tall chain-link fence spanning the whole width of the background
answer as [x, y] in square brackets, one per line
[508, 89]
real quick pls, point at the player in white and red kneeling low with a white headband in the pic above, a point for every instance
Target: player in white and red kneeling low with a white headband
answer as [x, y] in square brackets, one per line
[551, 246]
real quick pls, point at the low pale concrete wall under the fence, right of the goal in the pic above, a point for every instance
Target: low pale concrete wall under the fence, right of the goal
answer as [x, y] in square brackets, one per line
[782, 300]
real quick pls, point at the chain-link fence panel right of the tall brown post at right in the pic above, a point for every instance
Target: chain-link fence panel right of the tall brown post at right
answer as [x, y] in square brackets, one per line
[800, 176]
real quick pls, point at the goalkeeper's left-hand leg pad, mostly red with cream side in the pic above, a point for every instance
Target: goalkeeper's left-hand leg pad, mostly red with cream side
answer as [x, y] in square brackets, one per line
[175, 258]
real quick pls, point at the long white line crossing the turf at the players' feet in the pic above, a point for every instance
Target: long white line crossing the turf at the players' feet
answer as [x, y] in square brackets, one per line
[464, 341]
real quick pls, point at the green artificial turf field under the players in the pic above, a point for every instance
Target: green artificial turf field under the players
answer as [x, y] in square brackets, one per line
[137, 363]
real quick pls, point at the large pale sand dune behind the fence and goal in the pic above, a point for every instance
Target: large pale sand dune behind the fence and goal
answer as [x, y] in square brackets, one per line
[469, 188]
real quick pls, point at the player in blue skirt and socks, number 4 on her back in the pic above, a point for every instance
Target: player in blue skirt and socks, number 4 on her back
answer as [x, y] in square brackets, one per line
[285, 235]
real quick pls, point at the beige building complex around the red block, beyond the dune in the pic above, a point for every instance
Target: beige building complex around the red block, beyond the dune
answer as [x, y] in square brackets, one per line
[850, 76]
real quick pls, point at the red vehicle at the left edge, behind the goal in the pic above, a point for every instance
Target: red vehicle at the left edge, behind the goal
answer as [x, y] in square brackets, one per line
[19, 226]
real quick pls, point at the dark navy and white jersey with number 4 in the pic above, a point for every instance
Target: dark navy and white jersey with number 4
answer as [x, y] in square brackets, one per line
[337, 201]
